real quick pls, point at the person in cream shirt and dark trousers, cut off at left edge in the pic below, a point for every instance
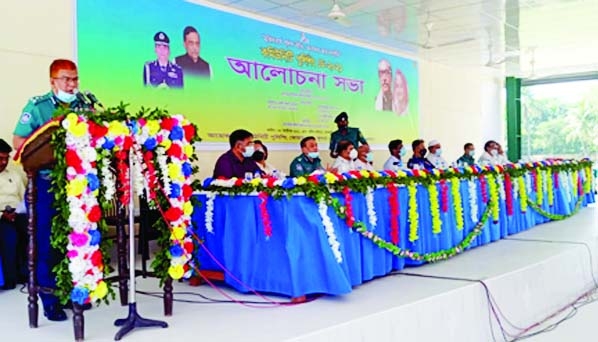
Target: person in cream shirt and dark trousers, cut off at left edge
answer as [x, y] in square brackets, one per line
[13, 221]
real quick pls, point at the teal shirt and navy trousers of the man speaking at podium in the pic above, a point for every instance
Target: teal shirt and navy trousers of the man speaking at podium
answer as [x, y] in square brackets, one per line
[37, 112]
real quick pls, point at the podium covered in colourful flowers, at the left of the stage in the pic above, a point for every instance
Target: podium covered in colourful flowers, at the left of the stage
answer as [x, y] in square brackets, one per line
[89, 156]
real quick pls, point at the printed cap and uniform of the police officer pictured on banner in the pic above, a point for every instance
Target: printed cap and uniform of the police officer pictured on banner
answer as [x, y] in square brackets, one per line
[154, 74]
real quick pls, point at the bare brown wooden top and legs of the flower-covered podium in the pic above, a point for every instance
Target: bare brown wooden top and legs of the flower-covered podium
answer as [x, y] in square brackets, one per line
[37, 154]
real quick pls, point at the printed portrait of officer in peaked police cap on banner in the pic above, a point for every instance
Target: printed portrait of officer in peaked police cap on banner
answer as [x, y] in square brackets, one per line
[161, 72]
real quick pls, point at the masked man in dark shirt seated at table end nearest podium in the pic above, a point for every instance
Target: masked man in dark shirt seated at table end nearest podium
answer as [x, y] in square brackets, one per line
[237, 161]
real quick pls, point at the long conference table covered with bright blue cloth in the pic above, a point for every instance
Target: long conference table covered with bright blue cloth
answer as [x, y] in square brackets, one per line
[296, 259]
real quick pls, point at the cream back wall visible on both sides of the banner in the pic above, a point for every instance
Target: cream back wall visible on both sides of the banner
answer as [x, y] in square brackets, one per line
[457, 104]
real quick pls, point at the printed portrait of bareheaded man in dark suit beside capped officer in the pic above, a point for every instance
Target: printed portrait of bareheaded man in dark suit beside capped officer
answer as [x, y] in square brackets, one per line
[191, 62]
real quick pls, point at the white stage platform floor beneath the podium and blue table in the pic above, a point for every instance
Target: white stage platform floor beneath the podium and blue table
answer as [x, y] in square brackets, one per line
[530, 276]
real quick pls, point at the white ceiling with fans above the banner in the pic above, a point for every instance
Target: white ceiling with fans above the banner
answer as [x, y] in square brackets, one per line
[526, 38]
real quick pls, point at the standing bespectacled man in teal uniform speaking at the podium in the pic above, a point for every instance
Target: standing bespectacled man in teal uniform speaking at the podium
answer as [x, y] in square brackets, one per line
[64, 81]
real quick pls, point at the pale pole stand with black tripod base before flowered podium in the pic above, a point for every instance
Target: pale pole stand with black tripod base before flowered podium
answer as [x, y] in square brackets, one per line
[133, 320]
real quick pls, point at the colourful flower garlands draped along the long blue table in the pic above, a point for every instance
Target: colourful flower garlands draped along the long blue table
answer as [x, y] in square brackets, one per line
[496, 182]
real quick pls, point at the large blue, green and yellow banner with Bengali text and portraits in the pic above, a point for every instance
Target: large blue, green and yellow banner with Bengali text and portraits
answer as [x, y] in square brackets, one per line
[224, 71]
